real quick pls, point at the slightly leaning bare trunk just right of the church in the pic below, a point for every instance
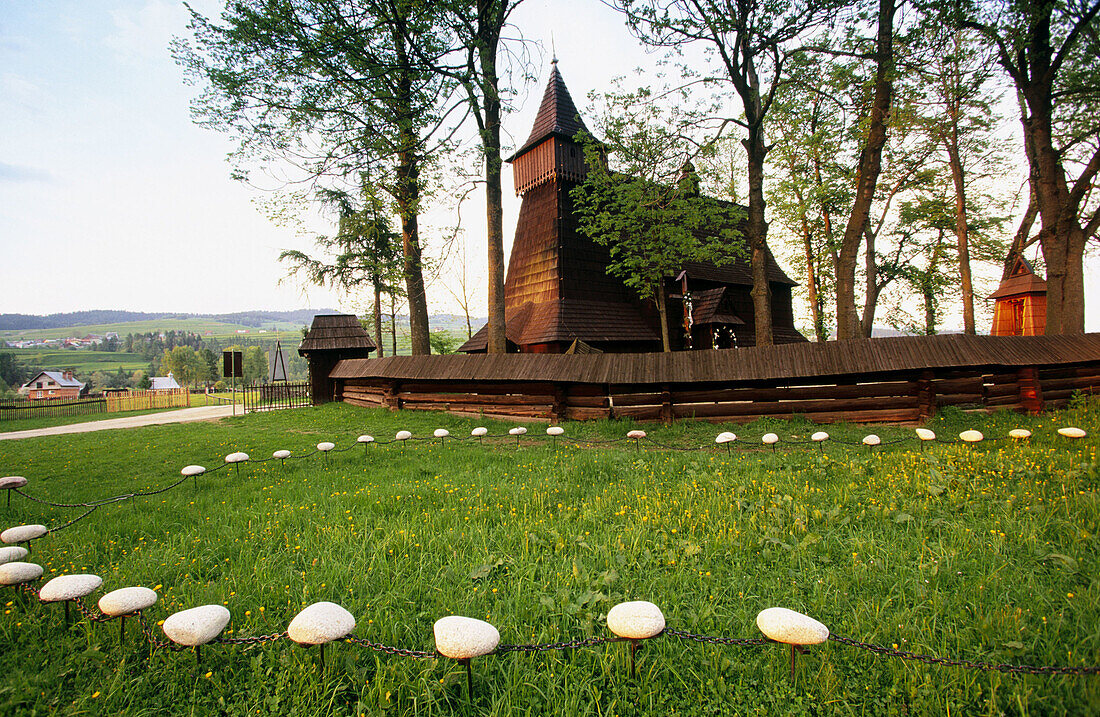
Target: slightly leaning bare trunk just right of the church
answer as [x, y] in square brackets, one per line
[871, 166]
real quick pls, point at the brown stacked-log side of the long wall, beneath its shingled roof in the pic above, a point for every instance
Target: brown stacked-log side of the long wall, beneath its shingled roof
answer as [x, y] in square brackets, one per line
[896, 398]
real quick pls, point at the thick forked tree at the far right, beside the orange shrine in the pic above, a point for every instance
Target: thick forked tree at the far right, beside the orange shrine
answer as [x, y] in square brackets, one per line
[1049, 50]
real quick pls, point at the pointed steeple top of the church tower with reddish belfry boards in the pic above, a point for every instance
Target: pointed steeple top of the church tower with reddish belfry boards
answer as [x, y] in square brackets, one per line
[552, 152]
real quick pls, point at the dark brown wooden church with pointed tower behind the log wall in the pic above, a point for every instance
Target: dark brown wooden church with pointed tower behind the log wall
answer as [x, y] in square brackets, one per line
[559, 297]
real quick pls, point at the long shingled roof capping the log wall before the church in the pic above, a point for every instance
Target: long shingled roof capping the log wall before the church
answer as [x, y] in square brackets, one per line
[761, 363]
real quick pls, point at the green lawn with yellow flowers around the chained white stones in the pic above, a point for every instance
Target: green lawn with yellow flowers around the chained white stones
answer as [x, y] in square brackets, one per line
[986, 553]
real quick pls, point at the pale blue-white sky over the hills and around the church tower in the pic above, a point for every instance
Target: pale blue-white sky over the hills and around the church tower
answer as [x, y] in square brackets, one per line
[112, 198]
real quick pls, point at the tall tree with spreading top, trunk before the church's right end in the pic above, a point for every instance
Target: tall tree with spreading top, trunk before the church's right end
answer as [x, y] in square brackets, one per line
[752, 43]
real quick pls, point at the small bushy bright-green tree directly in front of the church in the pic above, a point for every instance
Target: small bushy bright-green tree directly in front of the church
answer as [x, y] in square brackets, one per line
[642, 201]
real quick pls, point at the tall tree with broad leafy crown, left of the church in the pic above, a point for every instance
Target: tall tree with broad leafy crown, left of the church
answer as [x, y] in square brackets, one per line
[334, 87]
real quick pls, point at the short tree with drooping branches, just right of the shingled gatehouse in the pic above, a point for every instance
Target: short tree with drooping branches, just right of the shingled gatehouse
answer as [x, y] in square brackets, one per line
[365, 251]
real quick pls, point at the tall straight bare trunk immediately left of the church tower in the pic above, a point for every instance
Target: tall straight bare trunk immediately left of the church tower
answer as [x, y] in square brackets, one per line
[489, 32]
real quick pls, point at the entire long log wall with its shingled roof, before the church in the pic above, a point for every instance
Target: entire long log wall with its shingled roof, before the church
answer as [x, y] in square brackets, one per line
[898, 381]
